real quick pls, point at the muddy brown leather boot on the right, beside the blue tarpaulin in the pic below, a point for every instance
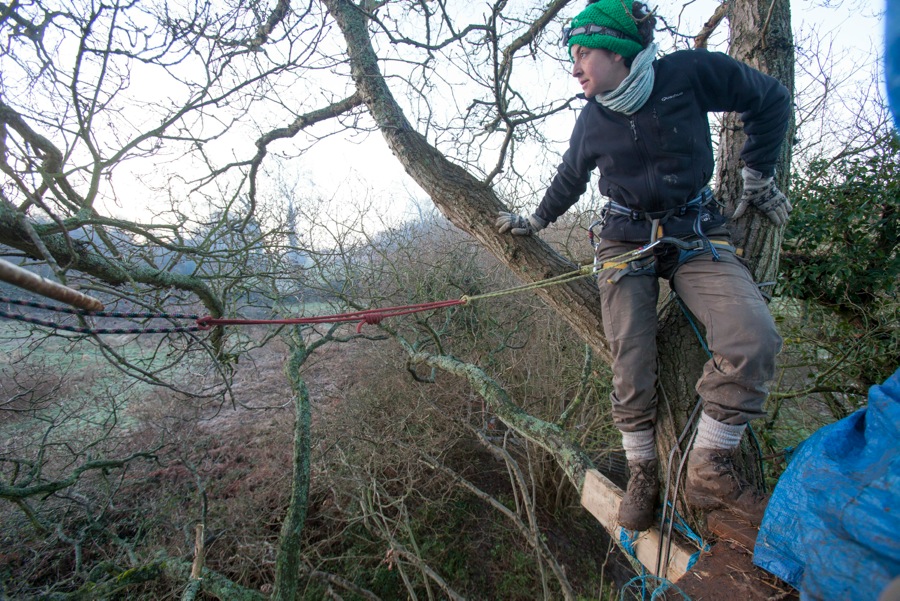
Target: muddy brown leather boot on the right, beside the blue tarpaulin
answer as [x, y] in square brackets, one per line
[713, 482]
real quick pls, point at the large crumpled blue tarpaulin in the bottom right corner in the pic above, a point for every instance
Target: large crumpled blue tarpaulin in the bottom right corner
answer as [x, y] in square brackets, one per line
[832, 527]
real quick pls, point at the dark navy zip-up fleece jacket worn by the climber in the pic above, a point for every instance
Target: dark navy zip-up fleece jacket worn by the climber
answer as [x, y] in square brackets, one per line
[661, 156]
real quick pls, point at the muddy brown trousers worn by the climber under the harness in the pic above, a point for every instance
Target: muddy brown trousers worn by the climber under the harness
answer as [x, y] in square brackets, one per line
[740, 333]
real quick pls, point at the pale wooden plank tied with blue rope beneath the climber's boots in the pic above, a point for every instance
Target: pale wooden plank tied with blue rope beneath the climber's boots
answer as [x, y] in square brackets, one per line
[602, 498]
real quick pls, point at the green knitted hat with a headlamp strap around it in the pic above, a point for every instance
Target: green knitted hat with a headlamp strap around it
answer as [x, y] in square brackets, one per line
[606, 24]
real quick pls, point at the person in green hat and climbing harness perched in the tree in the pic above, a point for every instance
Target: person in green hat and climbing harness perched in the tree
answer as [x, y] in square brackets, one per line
[645, 128]
